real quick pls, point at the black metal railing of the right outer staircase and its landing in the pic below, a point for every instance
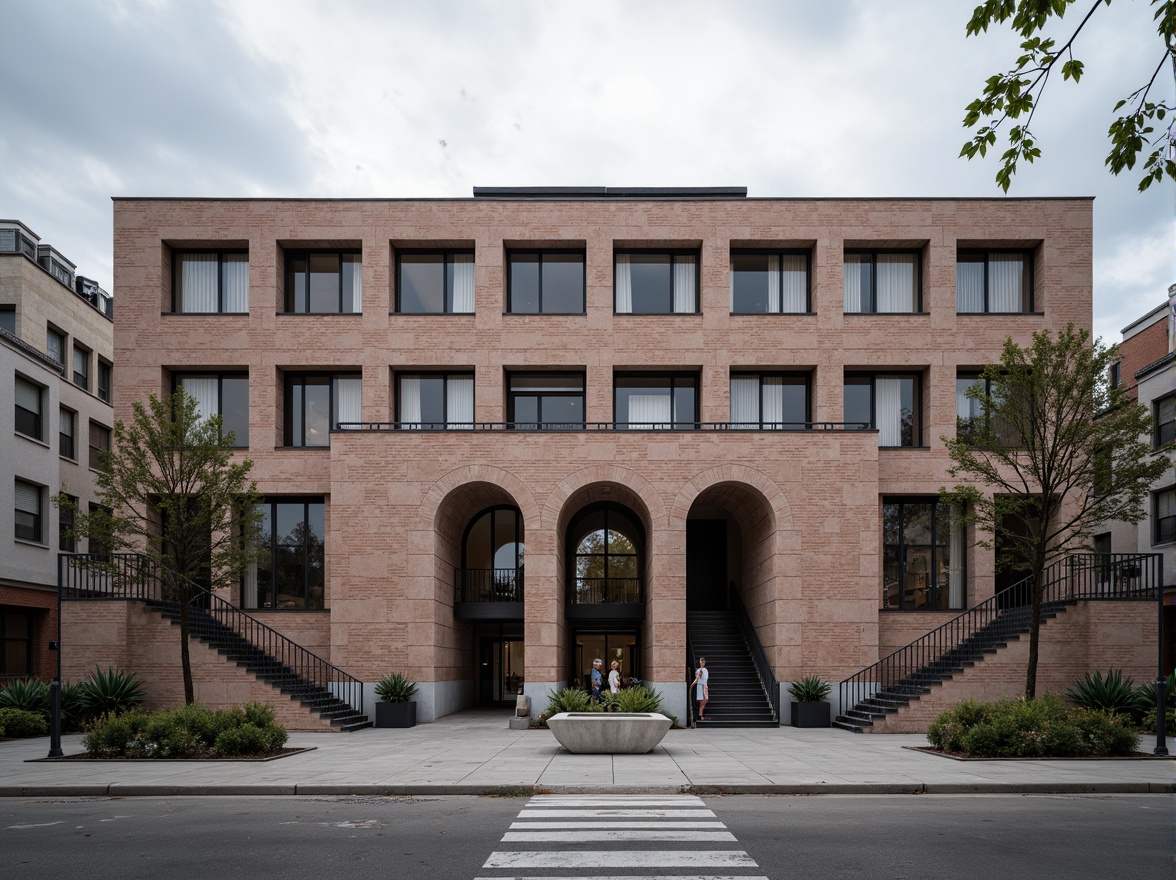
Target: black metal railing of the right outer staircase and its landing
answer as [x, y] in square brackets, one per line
[1122, 577]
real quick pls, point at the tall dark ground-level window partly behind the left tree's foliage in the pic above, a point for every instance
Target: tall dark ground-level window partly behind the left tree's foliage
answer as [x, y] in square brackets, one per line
[290, 570]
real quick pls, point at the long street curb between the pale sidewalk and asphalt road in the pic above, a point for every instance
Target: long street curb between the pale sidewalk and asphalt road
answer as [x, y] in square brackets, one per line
[386, 791]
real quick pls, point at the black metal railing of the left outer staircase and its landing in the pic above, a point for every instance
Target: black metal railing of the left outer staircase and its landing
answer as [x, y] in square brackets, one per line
[135, 577]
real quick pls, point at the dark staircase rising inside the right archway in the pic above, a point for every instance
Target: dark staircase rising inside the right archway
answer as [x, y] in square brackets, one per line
[738, 698]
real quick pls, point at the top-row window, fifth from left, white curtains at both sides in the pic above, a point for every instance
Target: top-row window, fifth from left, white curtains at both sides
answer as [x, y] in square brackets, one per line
[657, 284]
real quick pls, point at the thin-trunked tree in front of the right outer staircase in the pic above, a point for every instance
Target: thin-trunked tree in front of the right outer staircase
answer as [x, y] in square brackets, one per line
[1055, 451]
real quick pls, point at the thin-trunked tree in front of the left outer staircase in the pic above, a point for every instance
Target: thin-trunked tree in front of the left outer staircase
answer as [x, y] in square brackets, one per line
[172, 490]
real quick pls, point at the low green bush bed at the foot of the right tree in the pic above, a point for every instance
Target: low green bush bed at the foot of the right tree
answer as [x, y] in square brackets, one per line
[1046, 728]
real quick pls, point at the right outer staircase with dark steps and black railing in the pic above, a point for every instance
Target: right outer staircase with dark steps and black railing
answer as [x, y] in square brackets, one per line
[896, 682]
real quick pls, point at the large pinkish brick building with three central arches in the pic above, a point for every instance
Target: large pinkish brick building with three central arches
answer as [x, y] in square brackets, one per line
[500, 437]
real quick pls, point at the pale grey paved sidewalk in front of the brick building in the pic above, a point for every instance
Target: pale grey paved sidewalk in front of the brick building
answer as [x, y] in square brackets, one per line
[476, 754]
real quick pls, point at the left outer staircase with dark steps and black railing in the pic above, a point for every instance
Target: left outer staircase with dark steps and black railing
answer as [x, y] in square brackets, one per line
[290, 669]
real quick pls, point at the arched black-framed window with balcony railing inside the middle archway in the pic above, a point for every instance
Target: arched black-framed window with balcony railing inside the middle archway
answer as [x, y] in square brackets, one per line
[606, 550]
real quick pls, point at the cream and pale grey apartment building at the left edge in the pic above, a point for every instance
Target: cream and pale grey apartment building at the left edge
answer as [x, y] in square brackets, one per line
[57, 350]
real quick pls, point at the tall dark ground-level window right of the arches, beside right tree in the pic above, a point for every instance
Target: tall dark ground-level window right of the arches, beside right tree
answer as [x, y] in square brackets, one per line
[923, 556]
